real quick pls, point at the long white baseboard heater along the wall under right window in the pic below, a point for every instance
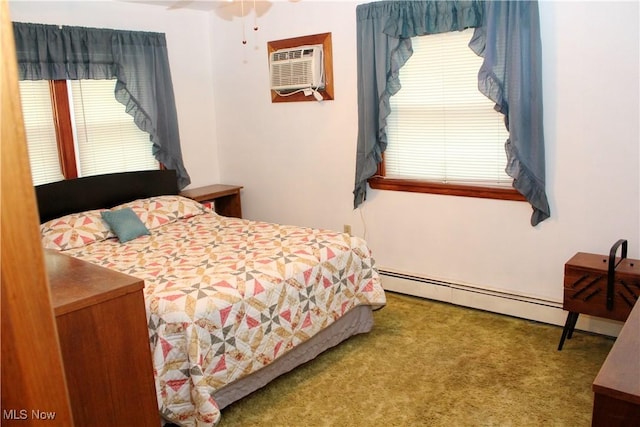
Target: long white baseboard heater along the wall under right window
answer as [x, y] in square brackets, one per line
[493, 300]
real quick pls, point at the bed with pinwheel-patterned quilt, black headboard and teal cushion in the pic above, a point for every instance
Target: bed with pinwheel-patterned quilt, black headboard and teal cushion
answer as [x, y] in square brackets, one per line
[231, 303]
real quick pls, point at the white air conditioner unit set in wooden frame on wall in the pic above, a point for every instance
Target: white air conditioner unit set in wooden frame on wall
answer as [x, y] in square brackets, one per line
[297, 68]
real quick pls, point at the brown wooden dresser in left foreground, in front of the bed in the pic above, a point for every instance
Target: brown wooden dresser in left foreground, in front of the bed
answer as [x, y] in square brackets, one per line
[102, 329]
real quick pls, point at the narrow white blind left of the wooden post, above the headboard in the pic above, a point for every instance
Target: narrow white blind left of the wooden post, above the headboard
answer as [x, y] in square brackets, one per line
[40, 131]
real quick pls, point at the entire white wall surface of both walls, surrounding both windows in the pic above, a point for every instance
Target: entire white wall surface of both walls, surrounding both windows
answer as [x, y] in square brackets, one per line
[296, 160]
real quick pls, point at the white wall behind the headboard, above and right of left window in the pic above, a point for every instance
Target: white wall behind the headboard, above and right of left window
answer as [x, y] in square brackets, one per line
[189, 45]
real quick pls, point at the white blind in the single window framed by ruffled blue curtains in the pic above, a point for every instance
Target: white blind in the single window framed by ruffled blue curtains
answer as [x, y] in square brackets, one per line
[441, 127]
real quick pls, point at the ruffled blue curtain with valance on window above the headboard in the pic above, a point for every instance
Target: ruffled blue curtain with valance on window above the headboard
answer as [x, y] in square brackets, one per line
[137, 60]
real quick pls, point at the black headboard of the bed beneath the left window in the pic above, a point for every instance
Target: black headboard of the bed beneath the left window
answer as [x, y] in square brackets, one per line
[102, 191]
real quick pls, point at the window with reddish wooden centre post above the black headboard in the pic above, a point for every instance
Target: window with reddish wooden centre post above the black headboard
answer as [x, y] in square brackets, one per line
[77, 128]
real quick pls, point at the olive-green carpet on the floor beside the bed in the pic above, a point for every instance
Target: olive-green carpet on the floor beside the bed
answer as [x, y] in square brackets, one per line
[428, 363]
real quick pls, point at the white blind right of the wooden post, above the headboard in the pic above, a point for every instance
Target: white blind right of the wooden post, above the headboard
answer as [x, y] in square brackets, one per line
[107, 139]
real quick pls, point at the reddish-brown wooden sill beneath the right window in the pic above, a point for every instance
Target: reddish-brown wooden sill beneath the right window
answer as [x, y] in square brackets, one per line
[415, 186]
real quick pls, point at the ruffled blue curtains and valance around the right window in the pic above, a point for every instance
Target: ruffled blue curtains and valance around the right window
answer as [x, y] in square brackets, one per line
[507, 36]
